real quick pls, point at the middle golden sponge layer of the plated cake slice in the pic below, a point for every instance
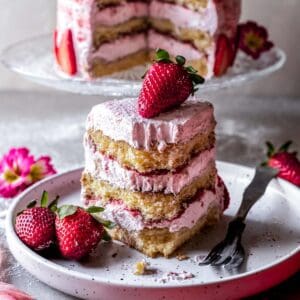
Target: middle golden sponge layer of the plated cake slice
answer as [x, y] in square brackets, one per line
[153, 206]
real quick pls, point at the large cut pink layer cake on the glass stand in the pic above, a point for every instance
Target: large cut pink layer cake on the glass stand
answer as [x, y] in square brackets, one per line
[98, 37]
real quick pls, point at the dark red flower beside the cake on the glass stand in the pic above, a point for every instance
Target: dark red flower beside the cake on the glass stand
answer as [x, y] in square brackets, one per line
[253, 39]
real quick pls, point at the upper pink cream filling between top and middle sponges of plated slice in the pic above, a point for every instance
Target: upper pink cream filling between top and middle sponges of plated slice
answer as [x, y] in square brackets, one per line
[104, 168]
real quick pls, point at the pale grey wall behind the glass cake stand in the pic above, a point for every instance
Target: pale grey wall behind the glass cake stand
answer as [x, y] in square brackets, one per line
[20, 19]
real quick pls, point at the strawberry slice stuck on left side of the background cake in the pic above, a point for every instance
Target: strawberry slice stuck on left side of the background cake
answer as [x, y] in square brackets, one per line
[65, 53]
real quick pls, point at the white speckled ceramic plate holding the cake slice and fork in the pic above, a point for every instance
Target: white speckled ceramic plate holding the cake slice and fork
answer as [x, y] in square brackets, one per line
[271, 239]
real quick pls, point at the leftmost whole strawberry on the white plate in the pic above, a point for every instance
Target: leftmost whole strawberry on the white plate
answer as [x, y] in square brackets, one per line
[35, 225]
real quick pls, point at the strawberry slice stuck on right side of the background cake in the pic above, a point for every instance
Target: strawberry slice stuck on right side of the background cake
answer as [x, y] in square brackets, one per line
[224, 57]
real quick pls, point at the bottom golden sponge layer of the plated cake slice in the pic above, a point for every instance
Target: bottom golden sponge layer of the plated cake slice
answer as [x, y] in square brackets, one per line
[156, 242]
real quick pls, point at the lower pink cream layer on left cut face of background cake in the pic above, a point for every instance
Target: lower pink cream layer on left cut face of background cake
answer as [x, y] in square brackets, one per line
[120, 48]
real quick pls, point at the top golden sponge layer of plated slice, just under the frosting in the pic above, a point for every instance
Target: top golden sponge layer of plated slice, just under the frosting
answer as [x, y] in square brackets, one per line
[171, 158]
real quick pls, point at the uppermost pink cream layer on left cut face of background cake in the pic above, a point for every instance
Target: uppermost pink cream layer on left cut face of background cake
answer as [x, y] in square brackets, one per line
[114, 15]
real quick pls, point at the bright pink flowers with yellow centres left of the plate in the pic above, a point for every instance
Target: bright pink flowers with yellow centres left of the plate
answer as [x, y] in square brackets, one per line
[19, 169]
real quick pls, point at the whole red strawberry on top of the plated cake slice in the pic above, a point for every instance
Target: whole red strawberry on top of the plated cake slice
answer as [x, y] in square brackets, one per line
[166, 85]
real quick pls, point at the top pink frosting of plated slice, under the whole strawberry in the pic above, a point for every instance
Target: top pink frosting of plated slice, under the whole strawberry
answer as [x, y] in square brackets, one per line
[119, 120]
